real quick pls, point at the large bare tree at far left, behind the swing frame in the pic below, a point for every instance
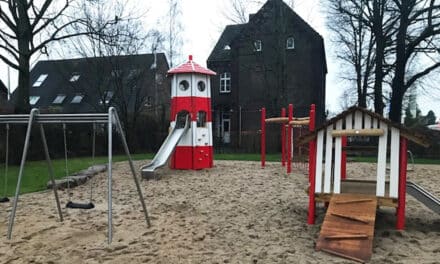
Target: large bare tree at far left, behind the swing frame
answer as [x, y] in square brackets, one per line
[27, 27]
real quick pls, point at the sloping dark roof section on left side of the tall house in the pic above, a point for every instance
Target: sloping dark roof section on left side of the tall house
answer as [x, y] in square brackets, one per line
[219, 53]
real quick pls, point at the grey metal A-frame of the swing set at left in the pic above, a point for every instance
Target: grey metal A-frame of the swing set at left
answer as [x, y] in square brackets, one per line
[110, 118]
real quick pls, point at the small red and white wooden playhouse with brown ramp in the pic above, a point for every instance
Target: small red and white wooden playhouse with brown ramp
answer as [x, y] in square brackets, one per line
[348, 226]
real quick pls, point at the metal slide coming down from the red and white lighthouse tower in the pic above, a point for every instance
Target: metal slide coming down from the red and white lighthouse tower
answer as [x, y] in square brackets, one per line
[166, 149]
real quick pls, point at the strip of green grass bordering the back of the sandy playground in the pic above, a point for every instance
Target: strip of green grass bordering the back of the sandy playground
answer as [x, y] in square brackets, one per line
[36, 176]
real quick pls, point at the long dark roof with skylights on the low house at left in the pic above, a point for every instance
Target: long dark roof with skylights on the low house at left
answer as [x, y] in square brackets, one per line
[96, 75]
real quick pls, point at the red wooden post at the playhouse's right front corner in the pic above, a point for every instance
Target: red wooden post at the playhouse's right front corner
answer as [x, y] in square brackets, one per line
[400, 225]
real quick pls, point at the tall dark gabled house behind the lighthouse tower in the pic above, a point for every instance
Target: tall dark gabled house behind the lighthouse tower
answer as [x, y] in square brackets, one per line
[273, 60]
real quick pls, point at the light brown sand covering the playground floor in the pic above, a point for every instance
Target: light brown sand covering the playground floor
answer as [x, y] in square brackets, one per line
[233, 213]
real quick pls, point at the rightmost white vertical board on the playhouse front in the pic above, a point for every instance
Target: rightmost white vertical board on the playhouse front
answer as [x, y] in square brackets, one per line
[394, 162]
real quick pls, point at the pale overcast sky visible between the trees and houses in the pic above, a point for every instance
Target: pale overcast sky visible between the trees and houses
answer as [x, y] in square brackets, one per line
[203, 23]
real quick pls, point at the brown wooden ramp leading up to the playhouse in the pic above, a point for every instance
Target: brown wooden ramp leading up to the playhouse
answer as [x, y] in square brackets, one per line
[348, 227]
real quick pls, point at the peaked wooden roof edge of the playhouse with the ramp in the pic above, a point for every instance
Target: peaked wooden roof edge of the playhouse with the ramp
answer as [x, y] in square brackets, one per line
[404, 132]
